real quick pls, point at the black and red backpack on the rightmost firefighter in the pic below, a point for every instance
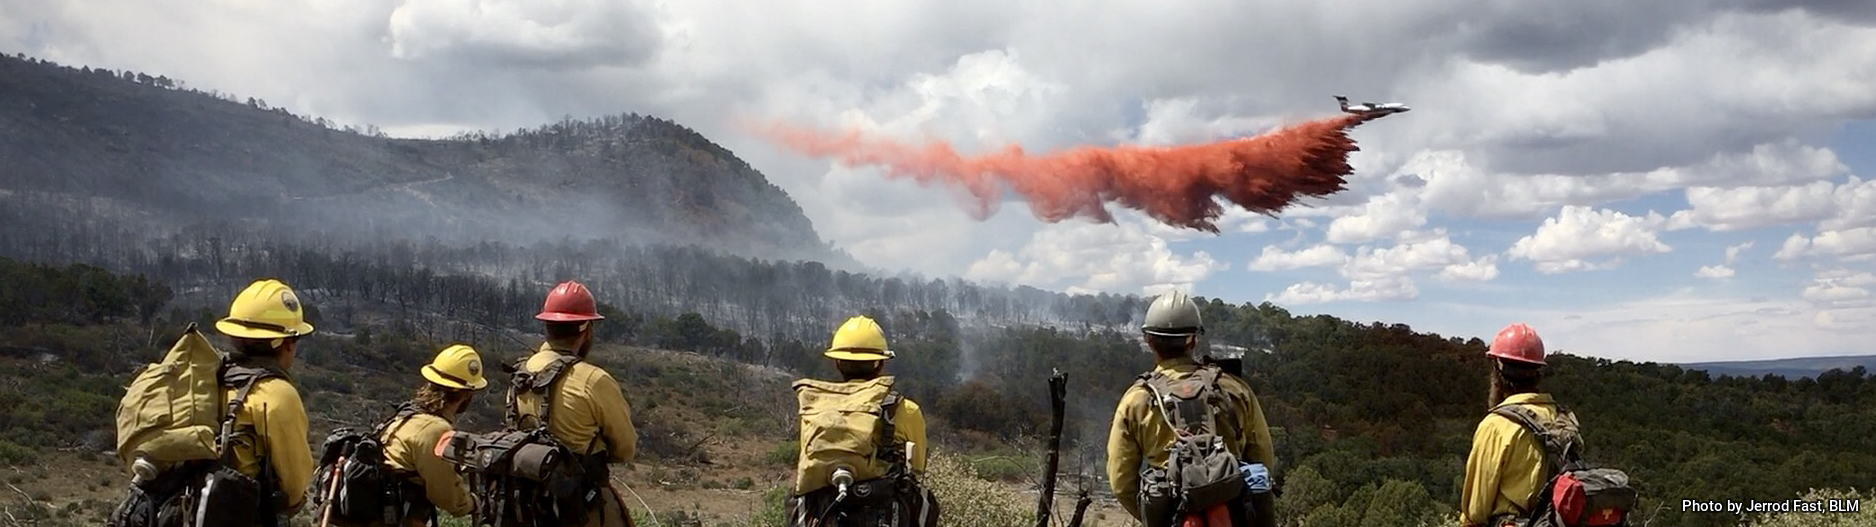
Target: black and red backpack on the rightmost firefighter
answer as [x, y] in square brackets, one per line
[1575, 492]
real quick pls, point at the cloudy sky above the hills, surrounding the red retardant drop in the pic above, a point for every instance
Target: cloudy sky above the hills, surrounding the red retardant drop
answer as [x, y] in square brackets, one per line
[1581, 164]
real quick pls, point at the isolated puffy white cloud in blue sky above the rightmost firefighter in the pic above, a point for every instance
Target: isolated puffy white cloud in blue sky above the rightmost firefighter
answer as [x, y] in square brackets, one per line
[1581, 233]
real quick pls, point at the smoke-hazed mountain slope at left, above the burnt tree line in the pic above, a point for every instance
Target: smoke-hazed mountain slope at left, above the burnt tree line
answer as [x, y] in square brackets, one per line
[134, 157]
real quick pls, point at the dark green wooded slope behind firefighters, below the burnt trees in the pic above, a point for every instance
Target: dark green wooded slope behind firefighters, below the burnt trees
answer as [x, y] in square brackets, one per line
[1372, 421]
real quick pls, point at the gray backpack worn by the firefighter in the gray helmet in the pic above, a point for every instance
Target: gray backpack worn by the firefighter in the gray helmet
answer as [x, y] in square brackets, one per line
[1202, 470]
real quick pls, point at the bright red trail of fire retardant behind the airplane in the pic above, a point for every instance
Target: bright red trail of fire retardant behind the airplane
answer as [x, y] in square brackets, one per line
[1173, 185]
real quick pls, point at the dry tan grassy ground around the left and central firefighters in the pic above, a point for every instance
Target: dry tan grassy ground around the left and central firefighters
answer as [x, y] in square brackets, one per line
[716, 449]
